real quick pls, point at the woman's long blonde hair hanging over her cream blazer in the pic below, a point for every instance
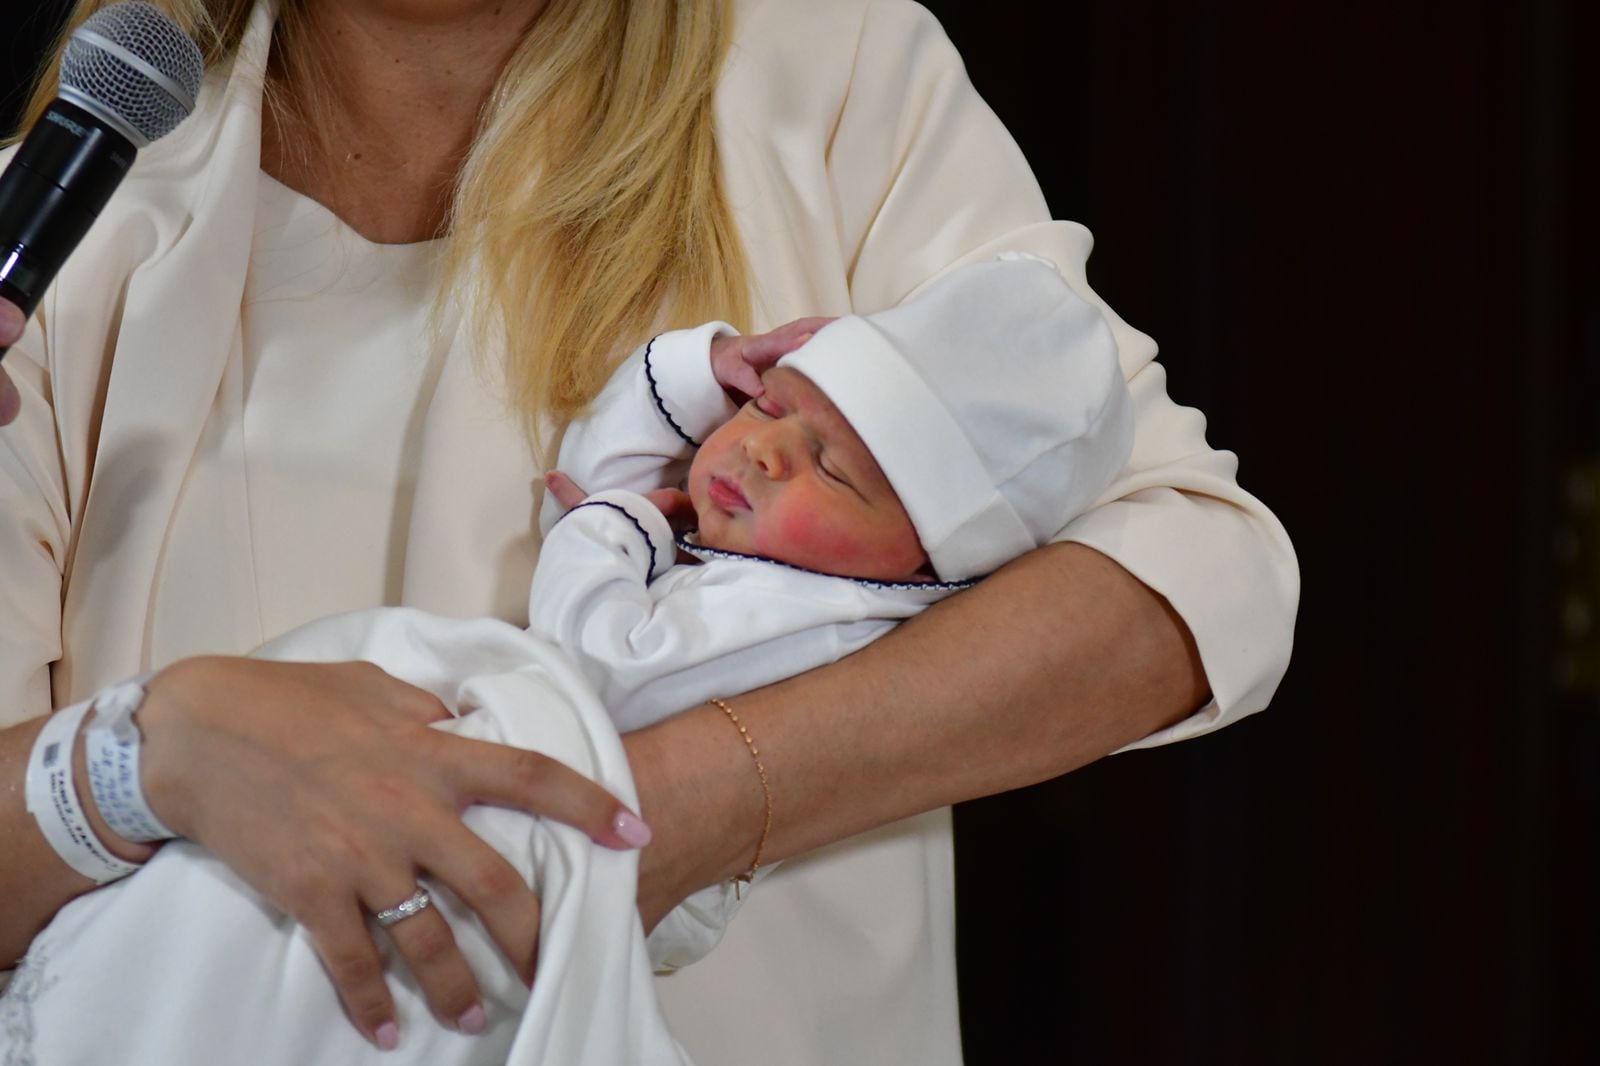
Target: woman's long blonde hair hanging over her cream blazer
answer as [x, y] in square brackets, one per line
[590, 209]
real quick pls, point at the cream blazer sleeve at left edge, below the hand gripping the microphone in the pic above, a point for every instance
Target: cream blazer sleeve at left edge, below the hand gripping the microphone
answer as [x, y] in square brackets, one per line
[34, 535]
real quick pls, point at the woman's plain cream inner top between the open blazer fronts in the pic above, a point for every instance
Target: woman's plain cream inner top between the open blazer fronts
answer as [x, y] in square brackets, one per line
[337, 367]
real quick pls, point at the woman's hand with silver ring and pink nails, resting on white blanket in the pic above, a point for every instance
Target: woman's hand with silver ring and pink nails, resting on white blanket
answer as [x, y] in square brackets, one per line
[324, 787]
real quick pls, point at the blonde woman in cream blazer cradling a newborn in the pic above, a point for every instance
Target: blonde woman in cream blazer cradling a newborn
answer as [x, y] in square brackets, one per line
[297, 367]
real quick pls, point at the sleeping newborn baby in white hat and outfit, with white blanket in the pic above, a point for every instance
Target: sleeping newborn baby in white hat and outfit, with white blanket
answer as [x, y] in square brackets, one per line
[889, 462]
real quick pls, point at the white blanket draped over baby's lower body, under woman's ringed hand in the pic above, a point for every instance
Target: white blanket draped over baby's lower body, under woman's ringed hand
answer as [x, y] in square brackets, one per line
[186, 966]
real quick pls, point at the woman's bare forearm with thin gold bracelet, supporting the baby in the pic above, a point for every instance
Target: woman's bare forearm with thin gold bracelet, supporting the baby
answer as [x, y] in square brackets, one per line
[1054, 662]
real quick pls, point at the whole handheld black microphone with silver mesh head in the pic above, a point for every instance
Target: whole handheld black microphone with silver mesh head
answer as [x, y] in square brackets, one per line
[129, 78]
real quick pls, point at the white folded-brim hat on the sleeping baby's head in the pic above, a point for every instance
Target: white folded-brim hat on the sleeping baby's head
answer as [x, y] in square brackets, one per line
[993, 401]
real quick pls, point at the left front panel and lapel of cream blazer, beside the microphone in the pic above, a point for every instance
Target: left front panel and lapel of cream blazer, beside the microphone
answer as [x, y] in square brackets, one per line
[172, 350]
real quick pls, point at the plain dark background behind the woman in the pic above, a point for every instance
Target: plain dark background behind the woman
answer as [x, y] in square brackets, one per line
[1366, 238]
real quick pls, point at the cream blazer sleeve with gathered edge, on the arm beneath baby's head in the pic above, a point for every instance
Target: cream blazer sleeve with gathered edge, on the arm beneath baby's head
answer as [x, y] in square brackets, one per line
[926, 178]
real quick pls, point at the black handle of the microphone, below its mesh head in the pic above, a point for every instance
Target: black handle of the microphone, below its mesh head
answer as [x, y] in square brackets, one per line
[52, 193]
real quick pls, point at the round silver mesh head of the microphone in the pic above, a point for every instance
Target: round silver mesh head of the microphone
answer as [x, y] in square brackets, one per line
[148, 97]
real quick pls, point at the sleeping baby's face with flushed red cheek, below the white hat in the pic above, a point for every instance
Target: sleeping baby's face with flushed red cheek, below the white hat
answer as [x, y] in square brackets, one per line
[790, 479]
